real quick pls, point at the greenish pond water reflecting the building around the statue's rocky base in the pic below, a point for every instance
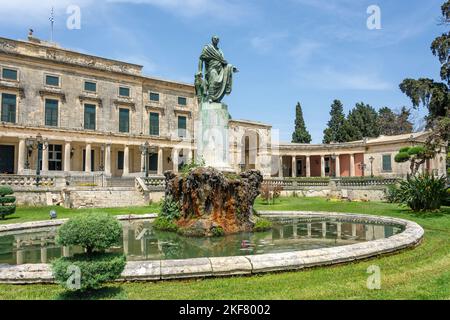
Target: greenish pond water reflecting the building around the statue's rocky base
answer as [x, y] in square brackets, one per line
[141, 242]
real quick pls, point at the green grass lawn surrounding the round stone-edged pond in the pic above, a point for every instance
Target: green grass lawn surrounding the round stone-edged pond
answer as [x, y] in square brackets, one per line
[421, 273]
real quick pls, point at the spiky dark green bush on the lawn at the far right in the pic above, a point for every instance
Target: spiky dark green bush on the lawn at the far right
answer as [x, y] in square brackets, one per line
[424, 192]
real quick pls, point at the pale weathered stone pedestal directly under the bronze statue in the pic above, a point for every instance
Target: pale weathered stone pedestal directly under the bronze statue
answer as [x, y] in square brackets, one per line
[212, 142]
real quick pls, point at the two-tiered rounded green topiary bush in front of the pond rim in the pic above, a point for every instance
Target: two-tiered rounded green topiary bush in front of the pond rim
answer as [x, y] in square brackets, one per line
[95, 233]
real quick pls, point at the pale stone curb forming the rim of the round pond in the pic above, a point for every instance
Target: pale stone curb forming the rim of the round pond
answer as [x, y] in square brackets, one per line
[243, 265]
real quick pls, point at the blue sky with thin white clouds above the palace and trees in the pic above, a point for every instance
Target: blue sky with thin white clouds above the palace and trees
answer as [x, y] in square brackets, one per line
[312, 51]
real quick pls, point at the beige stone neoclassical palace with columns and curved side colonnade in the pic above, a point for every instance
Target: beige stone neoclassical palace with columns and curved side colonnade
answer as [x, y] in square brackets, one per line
[75, 114]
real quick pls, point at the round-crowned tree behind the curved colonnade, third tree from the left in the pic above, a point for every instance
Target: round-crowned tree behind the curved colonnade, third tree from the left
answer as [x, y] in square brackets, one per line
[362, 123]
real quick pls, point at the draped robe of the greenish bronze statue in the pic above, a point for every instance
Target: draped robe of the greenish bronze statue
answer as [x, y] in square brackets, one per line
[219, 74]
